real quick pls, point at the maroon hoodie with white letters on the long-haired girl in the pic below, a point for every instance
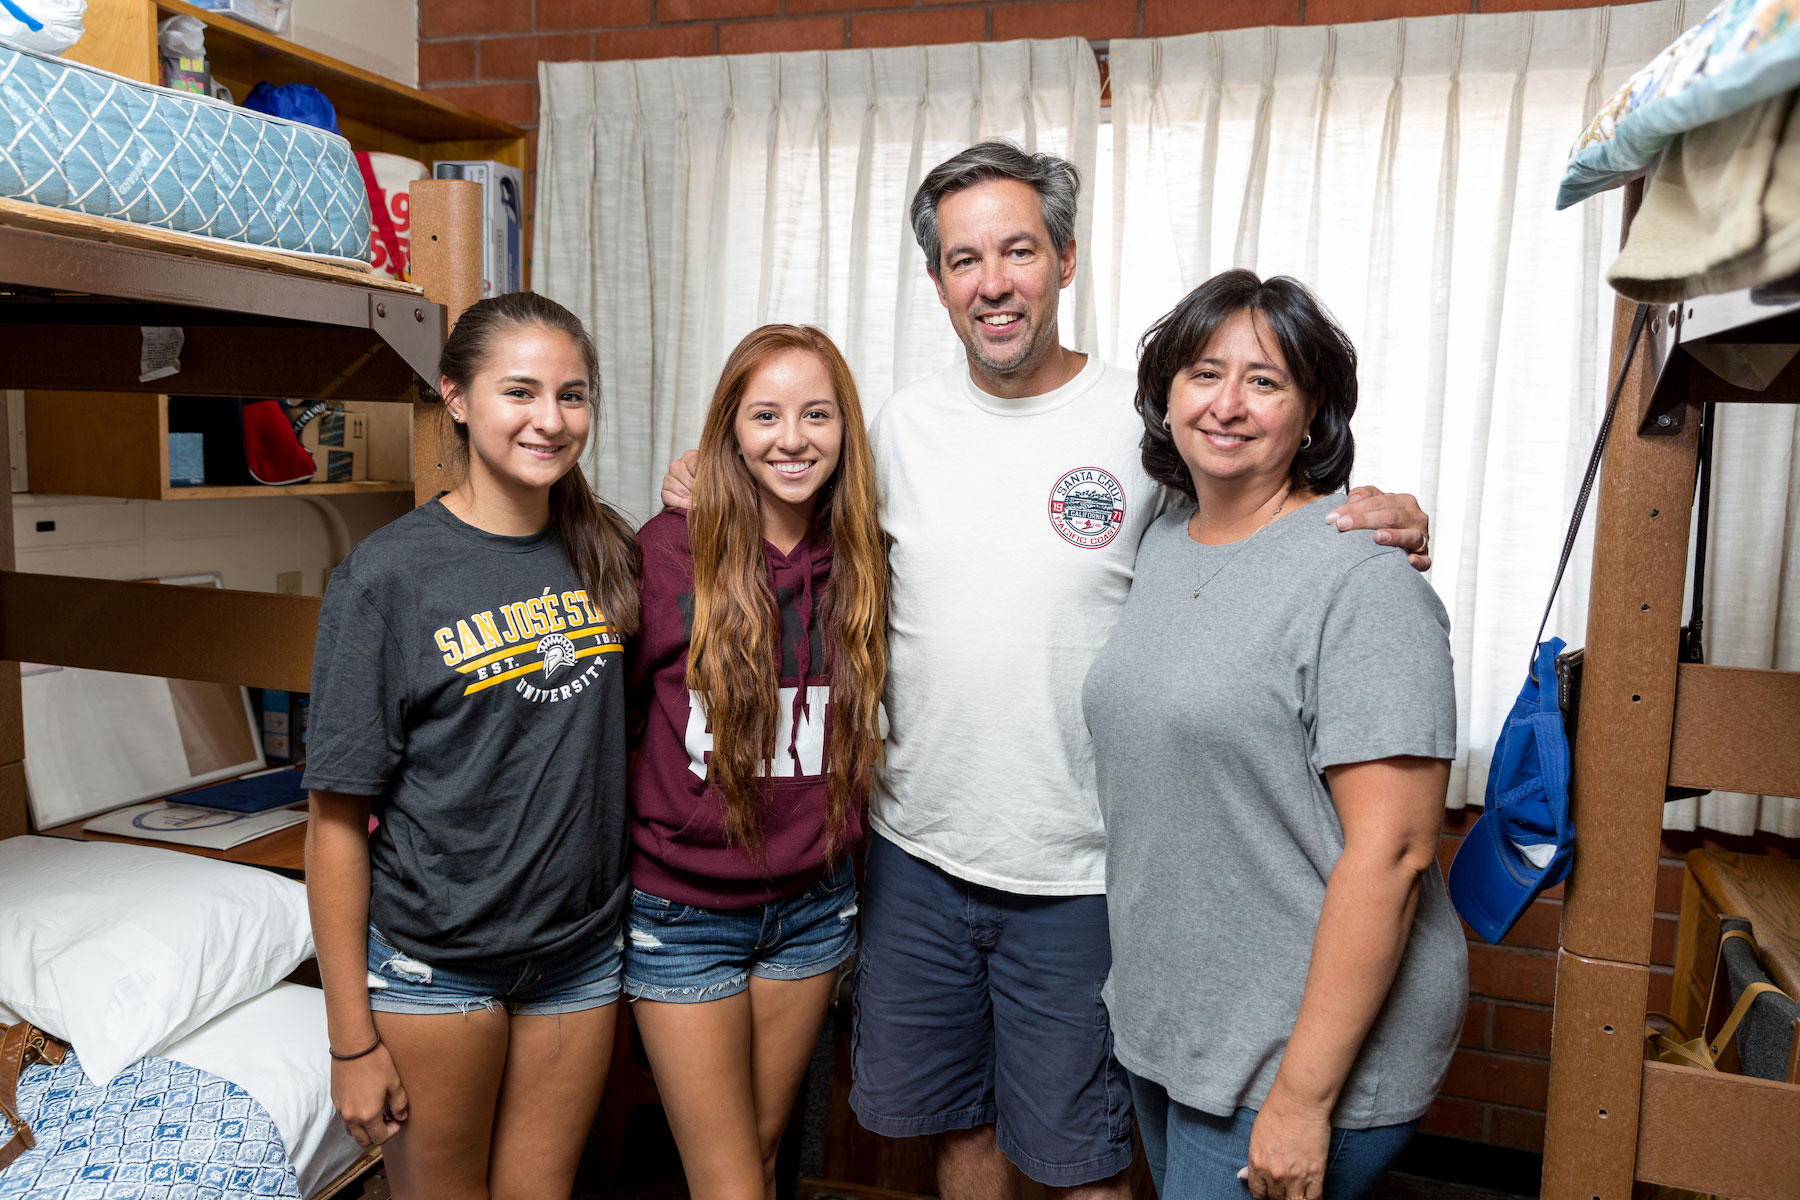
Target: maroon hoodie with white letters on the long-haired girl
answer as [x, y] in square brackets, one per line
[678, 821]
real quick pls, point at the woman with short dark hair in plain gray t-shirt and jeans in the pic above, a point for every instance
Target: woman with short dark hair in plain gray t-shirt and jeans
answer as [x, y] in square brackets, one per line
[1273, 722]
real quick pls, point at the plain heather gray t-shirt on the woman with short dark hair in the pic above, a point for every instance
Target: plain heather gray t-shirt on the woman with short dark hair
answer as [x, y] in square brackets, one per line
[1214, 721]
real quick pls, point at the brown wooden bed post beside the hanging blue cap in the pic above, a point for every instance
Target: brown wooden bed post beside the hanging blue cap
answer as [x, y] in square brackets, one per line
[1621, 778]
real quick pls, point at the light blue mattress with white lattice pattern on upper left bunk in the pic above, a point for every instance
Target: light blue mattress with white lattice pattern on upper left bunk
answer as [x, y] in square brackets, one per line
[84, 139]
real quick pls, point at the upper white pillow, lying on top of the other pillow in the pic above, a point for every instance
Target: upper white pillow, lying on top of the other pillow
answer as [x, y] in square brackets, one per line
[121, 949]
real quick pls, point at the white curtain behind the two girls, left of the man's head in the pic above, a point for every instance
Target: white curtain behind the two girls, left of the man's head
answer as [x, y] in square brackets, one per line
[685, 202]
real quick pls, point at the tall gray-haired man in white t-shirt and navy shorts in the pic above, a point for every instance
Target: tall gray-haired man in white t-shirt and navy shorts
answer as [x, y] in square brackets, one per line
[1016, 499]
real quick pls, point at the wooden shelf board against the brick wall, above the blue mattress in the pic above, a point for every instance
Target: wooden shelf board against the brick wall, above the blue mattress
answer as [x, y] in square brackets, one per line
[244, 55]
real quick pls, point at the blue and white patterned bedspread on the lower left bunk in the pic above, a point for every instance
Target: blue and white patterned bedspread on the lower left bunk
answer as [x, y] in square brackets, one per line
[161, 1131]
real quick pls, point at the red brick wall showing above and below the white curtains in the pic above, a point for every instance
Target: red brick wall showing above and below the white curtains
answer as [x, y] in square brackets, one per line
[485, 55]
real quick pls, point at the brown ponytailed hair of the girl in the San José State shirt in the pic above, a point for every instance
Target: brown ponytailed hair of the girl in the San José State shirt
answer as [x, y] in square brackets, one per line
[597, 541]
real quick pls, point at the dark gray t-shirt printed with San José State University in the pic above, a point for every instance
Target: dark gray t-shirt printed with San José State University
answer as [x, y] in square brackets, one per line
[467, 683]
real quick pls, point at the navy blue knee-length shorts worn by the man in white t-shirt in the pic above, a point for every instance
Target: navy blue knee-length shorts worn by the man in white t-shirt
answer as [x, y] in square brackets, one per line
[978, 1007]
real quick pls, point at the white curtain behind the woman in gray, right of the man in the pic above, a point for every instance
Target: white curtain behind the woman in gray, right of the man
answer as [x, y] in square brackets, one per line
[1407, 172]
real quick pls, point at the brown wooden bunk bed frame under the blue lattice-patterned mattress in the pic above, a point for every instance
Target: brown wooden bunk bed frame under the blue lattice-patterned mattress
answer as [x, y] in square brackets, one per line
[75, 292]
